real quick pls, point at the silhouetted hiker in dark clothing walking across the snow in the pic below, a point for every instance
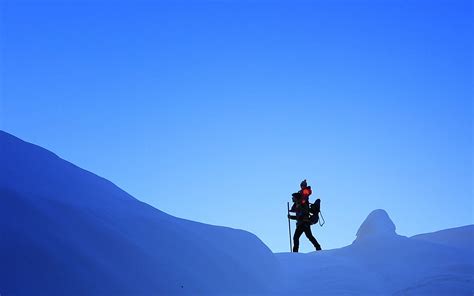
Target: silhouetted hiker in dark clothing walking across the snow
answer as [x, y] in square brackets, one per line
[303, 222]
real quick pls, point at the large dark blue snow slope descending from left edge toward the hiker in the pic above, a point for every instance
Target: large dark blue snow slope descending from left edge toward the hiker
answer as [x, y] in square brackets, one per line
[66, 231]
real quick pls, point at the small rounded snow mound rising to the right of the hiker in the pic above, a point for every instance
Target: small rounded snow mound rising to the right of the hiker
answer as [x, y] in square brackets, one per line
[378, 223]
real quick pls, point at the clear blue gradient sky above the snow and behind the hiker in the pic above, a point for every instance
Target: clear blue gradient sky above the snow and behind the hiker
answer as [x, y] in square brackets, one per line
[214, 111]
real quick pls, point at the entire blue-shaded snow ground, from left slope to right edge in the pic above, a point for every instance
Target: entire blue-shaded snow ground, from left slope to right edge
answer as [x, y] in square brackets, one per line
[66, 231]
